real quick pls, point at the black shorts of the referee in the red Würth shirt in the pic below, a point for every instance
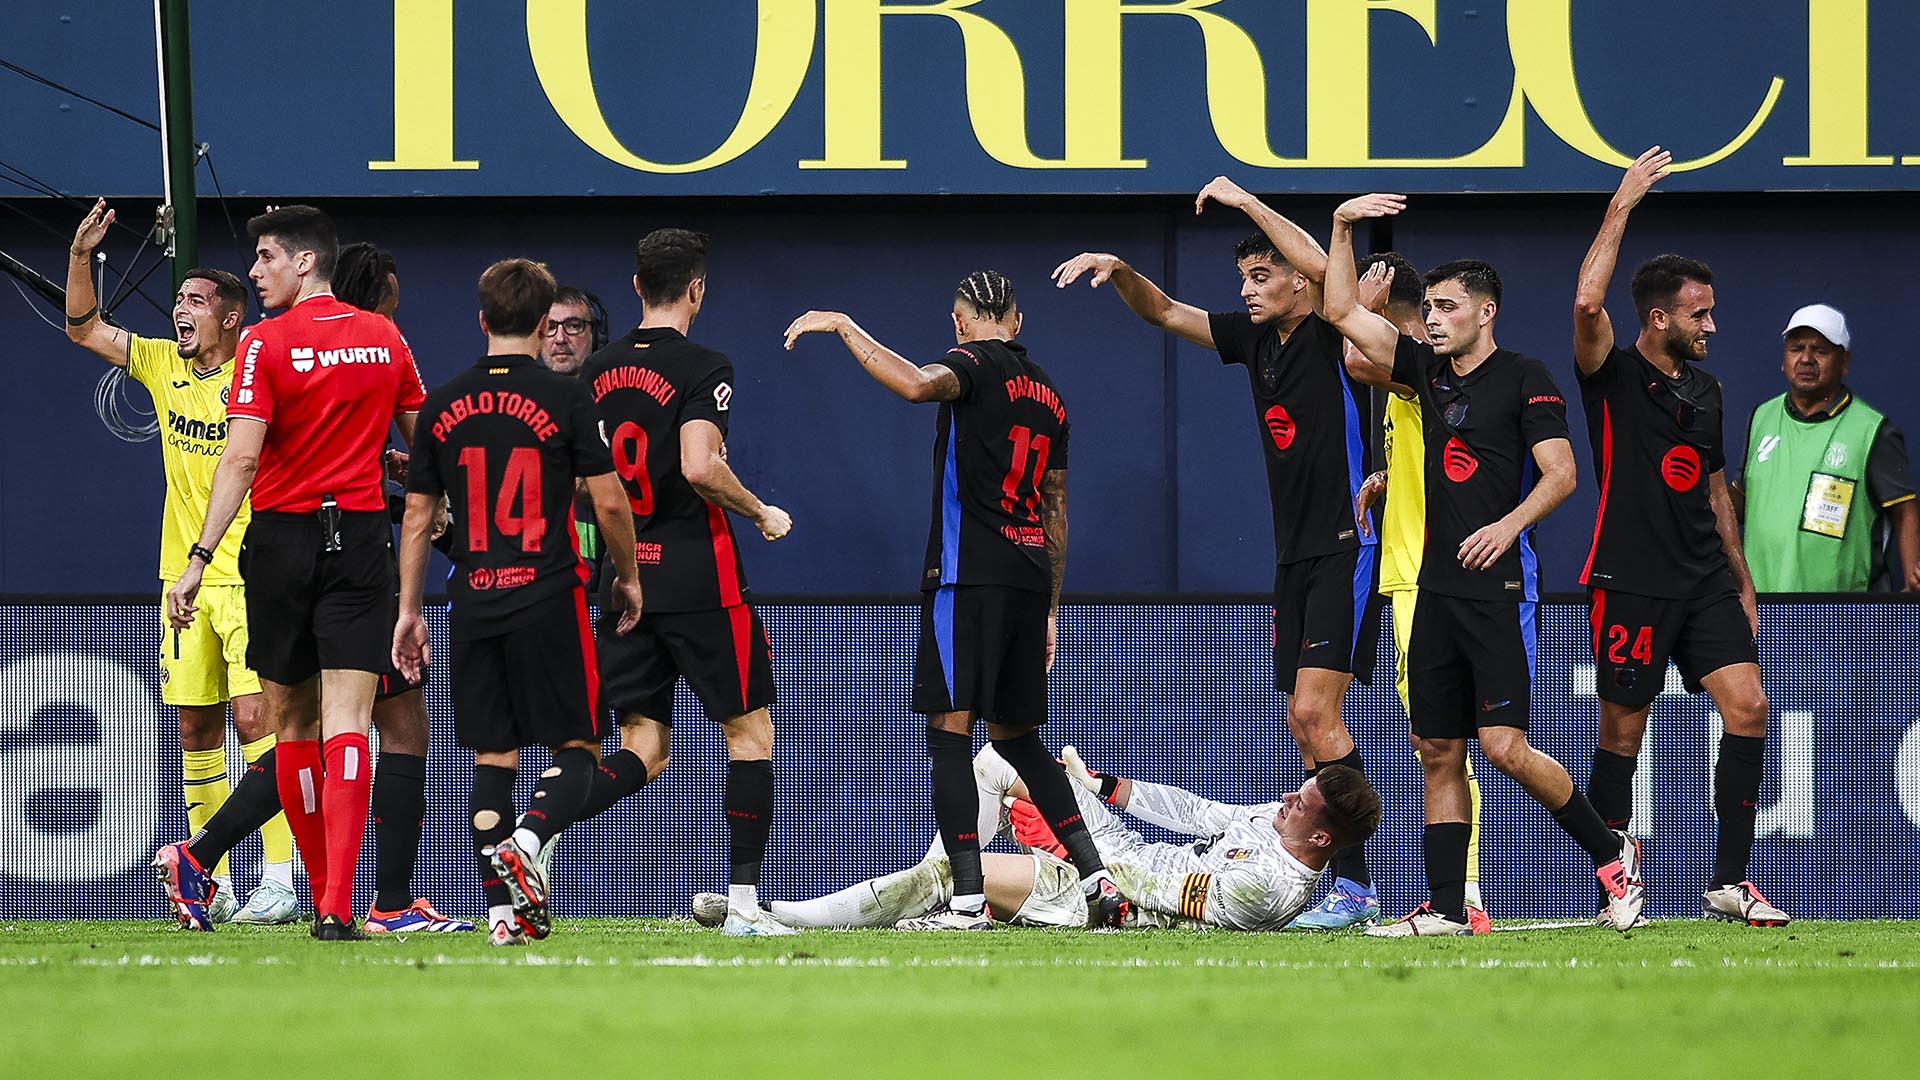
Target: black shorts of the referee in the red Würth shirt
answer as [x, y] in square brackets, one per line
[312, 610]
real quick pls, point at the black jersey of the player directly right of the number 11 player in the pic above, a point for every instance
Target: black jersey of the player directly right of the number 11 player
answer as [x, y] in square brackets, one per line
[1310, 430]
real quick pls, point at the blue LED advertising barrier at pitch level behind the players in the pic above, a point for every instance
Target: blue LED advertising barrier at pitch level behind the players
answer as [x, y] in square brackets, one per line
[1164, 691]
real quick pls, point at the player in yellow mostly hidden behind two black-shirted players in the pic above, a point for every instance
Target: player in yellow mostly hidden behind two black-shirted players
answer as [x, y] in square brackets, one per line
[1391, 287]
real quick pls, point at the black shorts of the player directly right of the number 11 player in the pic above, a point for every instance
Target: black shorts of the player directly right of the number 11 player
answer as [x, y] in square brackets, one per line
[1328, 614]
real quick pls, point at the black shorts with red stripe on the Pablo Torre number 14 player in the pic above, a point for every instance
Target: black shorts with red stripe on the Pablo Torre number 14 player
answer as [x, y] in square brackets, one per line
[537, 685]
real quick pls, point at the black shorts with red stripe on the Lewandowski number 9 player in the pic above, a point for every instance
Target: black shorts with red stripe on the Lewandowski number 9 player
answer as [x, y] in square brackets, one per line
[721, 652]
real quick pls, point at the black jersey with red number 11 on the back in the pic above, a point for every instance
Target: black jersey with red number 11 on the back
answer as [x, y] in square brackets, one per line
[992, 447]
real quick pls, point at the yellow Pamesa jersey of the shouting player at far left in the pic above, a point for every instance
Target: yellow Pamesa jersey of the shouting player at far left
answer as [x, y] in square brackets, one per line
[193, 433]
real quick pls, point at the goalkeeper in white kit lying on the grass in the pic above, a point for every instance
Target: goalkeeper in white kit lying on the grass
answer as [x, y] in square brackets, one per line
[1253, 868]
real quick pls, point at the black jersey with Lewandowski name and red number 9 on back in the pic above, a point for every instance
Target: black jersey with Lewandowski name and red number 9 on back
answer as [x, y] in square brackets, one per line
[648, 385]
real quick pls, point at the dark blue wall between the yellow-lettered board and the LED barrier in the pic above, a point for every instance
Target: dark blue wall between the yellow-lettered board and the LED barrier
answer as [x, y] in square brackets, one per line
[1166, 483]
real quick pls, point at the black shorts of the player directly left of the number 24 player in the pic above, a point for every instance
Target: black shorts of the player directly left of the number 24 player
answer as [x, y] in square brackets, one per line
[1470, 666]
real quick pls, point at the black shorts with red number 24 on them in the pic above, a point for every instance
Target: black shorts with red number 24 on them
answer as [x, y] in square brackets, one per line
[1637, 635]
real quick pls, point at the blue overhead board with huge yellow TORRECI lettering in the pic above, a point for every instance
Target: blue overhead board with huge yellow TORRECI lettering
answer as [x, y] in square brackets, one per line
[807, 97]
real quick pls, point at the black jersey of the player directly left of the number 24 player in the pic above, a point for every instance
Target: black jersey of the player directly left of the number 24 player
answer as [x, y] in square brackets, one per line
[1479, 430]
